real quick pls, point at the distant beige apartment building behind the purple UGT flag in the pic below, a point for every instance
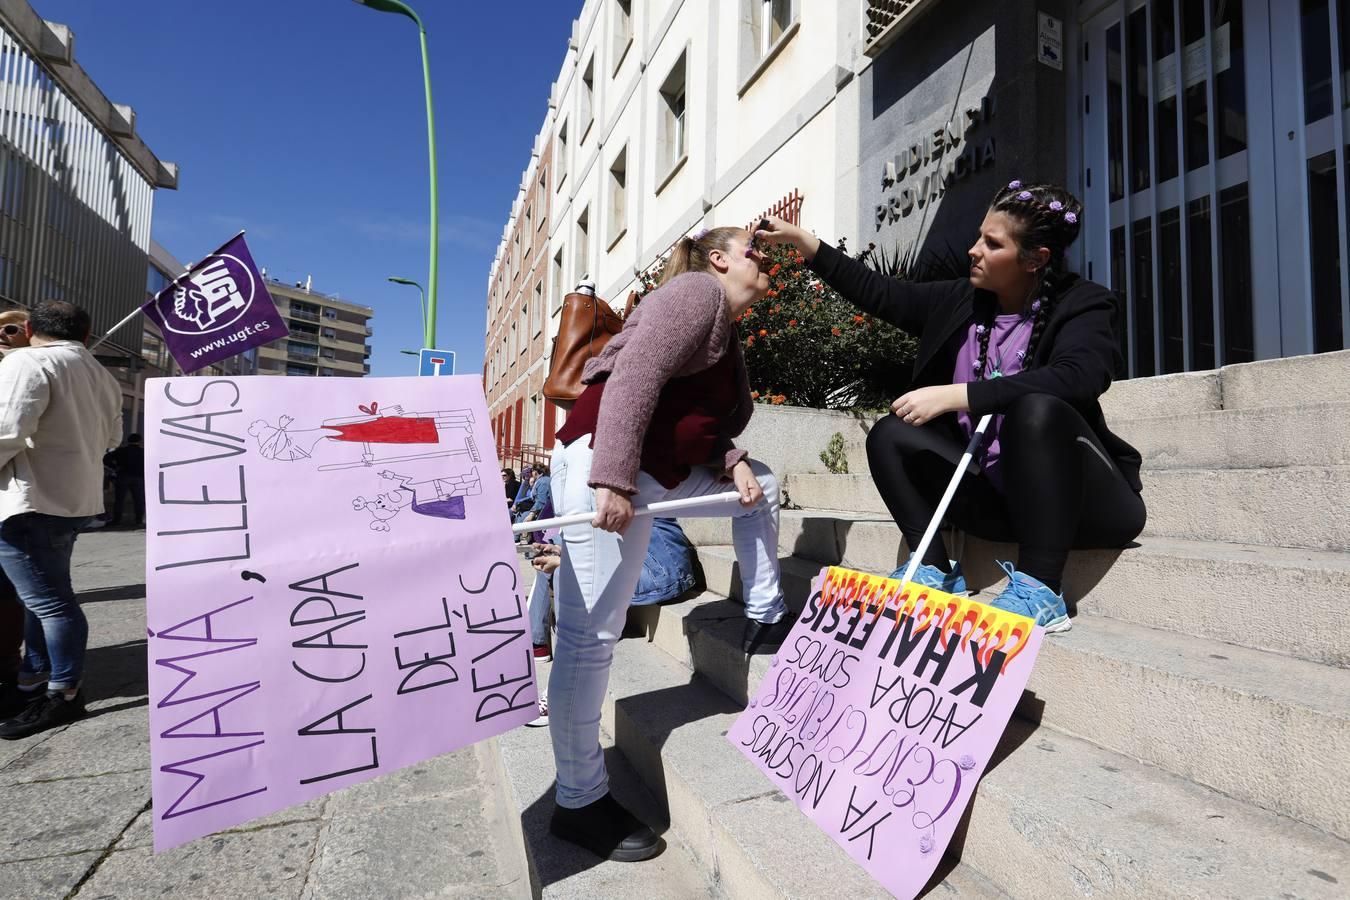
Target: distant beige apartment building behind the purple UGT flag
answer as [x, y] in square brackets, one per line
[329, 337]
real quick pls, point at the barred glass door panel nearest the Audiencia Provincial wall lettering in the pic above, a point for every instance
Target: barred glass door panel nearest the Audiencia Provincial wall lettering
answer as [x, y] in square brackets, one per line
[1167, 180]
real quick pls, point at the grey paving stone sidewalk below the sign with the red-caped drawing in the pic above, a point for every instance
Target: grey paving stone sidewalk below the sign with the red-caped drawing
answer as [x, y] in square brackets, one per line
[76, 801]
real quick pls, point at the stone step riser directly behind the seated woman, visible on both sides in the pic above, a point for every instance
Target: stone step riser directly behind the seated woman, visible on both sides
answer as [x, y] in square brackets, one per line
[1291, 507]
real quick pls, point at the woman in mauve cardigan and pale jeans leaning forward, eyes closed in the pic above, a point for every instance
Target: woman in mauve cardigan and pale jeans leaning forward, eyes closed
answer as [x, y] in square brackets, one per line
[657, 420]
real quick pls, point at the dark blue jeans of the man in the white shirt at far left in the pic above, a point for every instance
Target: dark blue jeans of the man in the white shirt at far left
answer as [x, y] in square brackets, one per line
[36, 555]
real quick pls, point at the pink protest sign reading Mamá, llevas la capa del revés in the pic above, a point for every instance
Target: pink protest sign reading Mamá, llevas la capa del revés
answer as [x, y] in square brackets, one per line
[333, 589]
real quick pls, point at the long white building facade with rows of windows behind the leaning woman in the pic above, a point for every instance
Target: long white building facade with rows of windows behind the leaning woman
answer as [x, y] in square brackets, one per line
[670, 117]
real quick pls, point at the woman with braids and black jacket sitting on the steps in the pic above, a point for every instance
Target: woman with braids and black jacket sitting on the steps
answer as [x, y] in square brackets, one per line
[1031, 342]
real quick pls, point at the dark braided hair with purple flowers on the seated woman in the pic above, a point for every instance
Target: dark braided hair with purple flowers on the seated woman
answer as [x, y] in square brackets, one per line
[1044, 217]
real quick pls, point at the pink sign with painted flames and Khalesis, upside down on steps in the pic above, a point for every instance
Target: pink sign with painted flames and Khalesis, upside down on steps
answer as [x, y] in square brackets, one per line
[882, 710]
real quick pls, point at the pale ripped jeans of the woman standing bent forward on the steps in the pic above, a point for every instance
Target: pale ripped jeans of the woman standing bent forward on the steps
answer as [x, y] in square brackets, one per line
[596, 584]
